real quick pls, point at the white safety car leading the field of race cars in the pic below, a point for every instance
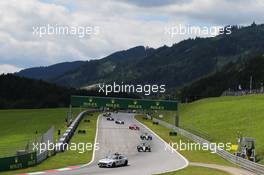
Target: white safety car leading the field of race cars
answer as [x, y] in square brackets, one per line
[114, 160]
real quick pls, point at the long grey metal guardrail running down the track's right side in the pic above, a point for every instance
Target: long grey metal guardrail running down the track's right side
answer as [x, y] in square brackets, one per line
[243, 163]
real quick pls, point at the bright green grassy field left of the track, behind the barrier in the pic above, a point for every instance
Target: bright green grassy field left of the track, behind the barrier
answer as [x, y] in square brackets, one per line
[20, 126]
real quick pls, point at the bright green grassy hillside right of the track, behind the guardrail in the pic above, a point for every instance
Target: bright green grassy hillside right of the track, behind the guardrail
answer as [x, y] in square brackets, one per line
[222, 118]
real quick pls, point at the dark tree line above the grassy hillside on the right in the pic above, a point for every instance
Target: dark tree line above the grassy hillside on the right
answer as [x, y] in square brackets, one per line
[233, 76]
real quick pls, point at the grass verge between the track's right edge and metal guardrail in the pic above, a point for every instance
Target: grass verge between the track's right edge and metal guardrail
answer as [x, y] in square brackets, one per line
[192, 156]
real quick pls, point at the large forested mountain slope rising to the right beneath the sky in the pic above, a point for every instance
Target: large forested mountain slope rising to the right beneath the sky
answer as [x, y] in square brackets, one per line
[173, 66]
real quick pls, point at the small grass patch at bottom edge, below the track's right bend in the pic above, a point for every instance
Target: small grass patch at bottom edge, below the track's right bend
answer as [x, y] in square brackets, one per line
[197, 171]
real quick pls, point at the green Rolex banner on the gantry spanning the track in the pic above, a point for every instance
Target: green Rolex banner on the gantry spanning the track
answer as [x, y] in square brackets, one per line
[122, 103]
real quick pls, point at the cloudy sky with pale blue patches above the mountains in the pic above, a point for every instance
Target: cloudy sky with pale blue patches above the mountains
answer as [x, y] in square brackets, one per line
[121, 24]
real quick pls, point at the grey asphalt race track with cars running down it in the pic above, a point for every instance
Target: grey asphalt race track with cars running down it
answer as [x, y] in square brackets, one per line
[114, 138]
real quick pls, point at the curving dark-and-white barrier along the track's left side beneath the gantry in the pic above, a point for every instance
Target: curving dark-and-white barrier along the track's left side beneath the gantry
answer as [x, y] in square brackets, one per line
[62, 142]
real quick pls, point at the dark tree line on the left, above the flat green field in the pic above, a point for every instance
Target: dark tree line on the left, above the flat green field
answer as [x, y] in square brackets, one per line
[19, 92]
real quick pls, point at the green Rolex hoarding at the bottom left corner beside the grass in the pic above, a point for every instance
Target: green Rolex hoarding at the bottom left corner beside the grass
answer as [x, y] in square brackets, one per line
[18, 162]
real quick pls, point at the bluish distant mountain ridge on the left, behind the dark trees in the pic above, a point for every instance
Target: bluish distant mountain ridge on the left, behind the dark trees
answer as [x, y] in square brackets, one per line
[63, 72]
